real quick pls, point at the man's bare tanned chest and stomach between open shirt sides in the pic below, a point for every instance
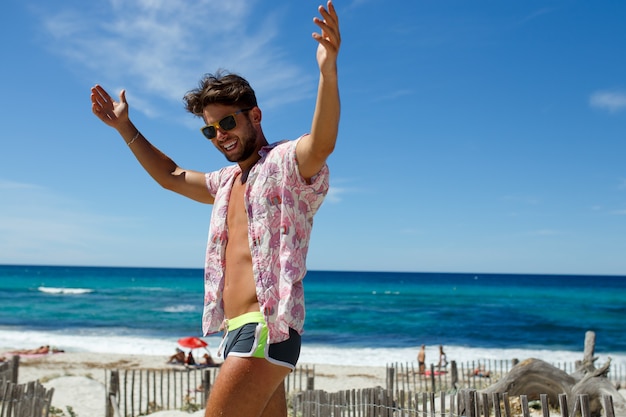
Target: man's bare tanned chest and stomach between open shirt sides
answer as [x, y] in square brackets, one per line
[239, 286]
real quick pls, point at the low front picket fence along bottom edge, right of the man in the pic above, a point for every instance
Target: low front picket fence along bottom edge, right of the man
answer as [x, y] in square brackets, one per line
[379, 402]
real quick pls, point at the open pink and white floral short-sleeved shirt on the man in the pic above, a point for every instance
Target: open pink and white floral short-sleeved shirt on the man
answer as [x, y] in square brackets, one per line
[280, 204]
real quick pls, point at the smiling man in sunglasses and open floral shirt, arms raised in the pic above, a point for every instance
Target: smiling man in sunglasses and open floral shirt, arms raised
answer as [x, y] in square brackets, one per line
[260, 223]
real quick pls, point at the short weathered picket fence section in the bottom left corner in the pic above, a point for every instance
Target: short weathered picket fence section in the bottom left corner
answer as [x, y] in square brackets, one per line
[24, 400]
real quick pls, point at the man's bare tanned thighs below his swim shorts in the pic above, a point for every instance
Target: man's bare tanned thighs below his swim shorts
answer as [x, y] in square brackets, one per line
[250, 387]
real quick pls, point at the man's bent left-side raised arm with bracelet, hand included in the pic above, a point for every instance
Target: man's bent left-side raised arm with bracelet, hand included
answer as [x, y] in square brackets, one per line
[160, 167]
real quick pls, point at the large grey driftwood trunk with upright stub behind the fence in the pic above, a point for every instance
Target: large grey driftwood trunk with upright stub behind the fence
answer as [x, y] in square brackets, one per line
[534, 377]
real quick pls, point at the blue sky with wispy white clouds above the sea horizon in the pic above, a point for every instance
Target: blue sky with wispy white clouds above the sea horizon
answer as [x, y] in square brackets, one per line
[476, 136]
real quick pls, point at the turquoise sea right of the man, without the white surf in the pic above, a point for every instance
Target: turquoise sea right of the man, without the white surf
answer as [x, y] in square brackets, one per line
[491, 311]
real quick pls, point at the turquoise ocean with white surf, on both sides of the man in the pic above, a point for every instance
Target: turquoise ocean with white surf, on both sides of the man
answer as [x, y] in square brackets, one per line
[353, 318]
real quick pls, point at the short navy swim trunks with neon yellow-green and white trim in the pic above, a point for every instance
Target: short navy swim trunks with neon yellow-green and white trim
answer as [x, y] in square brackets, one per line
[246, 337]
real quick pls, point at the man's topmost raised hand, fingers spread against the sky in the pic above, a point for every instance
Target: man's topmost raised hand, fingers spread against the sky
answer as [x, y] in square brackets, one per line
[329, 39]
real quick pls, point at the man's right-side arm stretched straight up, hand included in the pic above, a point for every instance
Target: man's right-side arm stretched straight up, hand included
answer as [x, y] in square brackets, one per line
[314, 149]
